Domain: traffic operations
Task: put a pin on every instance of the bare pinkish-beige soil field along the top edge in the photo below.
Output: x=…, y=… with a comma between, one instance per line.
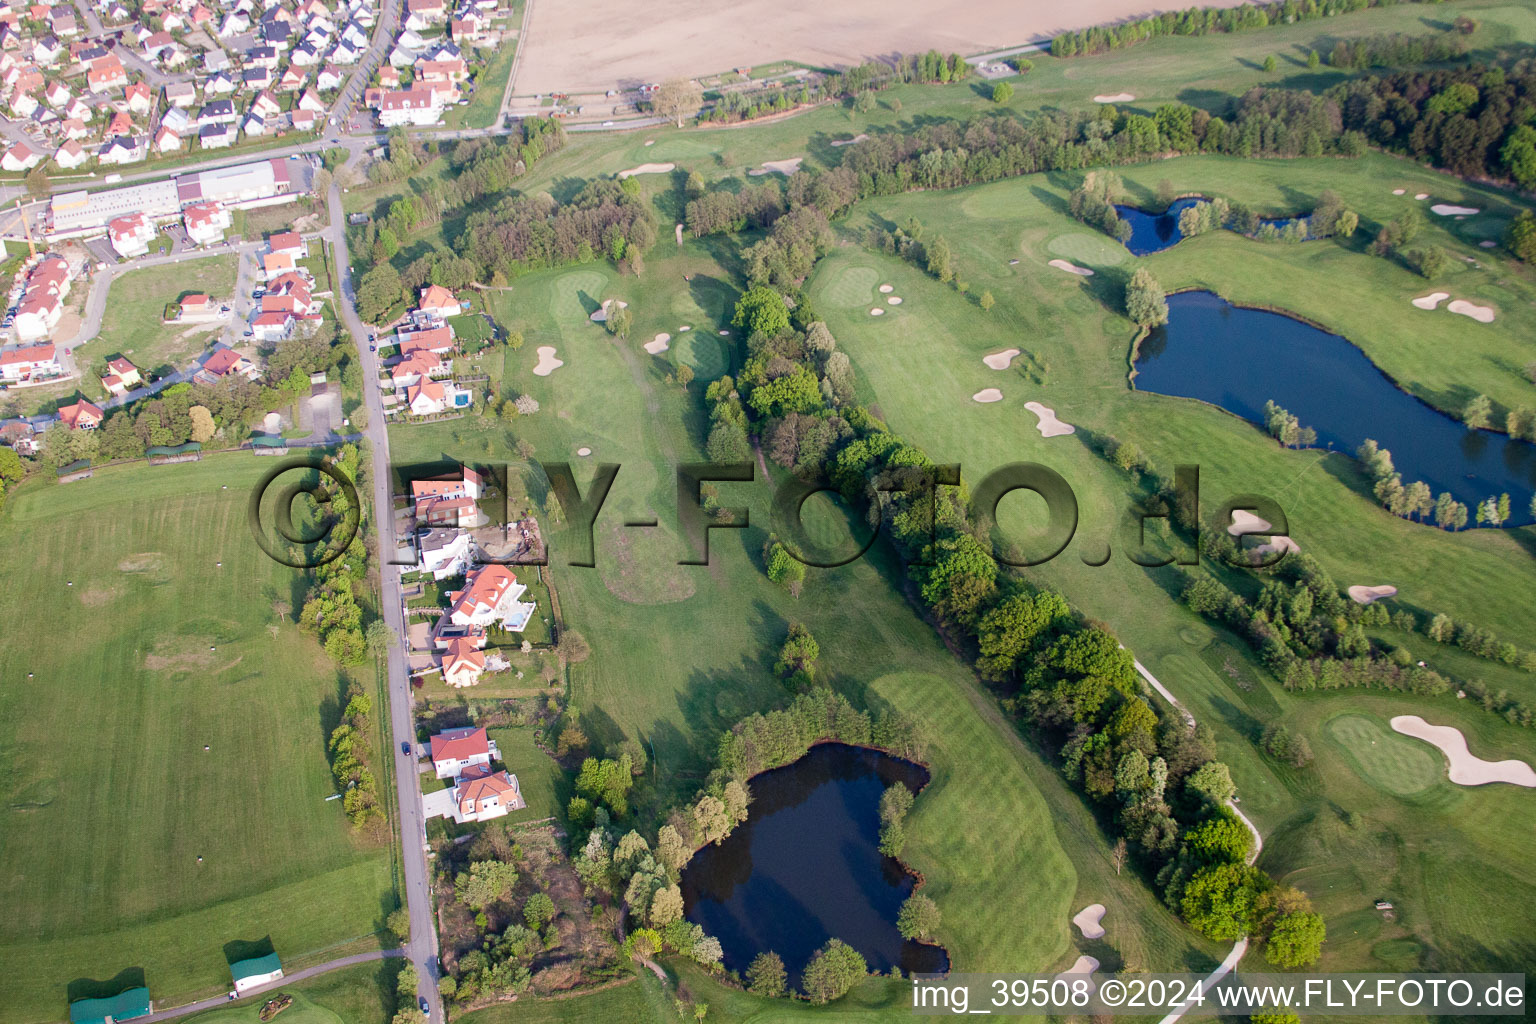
x=594, y=45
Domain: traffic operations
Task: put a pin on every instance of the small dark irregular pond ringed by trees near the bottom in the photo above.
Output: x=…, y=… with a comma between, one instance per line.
x=807, y=867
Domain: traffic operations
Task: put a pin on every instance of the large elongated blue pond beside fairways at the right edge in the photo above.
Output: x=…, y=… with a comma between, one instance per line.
x=1240, y=358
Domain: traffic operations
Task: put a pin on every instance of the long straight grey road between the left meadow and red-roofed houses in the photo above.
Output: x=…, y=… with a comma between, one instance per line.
x=423, y=946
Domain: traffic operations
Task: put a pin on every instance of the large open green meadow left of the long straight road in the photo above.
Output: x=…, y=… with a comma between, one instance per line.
x=131, y=650
